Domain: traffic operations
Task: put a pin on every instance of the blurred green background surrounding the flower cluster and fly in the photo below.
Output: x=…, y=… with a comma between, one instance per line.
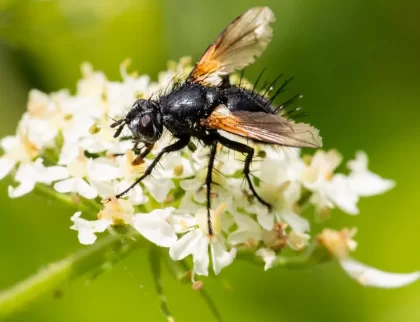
x=356, y=62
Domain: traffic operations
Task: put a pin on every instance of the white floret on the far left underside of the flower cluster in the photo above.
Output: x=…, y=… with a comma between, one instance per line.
x=31, y=173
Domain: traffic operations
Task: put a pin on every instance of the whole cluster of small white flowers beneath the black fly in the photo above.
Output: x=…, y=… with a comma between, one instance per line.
x=65, y=142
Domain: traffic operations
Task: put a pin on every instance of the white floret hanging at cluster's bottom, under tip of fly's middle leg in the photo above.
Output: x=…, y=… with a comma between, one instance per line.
x=197, y=241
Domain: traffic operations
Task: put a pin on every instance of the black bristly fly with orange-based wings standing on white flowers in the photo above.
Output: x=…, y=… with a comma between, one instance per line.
x=206, y=105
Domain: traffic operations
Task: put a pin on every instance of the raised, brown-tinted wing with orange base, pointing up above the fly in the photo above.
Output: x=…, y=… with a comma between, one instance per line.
x=236, y=47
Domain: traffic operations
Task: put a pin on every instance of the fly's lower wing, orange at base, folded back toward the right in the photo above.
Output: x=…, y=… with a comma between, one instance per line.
x=264, y=127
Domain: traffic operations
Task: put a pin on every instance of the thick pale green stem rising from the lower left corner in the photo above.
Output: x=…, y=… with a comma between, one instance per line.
x=53, y=276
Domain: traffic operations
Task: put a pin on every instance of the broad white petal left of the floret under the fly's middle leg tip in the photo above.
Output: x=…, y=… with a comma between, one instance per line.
x=155, y=228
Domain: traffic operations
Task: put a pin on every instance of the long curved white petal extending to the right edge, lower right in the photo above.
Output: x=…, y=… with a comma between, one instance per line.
x=369, y=276
